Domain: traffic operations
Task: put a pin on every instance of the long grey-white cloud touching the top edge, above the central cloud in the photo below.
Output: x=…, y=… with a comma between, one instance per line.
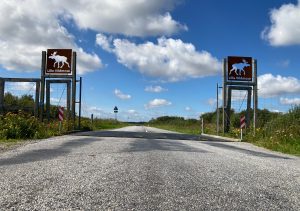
x=130, y=17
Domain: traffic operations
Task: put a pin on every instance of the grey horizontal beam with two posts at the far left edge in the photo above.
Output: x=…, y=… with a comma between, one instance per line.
x=37, y=91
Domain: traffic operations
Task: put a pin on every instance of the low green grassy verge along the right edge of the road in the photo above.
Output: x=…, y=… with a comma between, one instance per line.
x=281, y=133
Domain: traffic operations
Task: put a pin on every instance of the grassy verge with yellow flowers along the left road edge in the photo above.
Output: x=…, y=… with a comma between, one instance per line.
x=20, y=128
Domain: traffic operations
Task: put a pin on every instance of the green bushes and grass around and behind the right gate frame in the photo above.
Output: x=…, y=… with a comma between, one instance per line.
x=275, y=131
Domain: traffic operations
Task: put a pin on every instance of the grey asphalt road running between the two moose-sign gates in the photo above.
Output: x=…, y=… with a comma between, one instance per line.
x=138, y=168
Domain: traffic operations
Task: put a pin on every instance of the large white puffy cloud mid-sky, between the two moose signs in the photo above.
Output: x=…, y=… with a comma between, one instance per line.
x=169, y=60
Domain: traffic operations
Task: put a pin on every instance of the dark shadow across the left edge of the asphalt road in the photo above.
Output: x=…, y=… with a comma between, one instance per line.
x=45, y=154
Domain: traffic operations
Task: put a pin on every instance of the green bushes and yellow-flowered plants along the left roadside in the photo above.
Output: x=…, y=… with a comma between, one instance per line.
x=16, y=125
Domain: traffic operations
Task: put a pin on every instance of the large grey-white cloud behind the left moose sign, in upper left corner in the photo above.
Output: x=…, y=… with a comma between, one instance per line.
x=28, y=27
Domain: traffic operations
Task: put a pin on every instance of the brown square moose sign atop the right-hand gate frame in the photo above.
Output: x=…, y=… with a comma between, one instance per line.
x=239, y=68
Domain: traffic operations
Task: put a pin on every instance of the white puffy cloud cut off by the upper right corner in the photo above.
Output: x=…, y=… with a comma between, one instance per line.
x=285, y=24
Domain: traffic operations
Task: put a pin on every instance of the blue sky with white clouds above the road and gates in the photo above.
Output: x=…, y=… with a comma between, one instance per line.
x=153, y=58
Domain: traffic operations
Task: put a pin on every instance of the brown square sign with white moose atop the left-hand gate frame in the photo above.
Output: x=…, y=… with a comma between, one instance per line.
x=59, y=61
